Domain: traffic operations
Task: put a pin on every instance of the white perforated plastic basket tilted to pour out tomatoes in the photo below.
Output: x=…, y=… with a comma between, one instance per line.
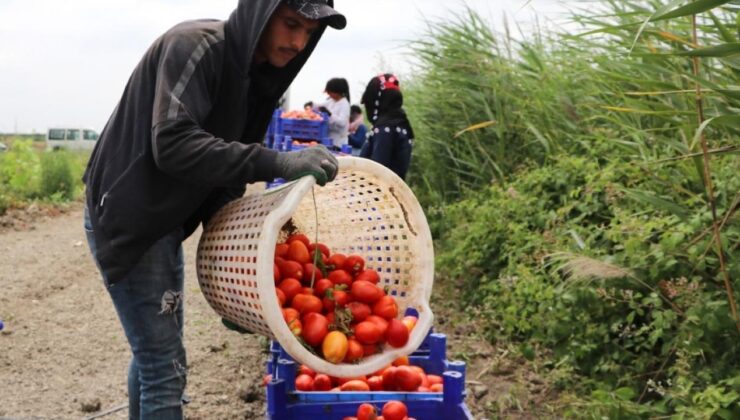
x=367, y=210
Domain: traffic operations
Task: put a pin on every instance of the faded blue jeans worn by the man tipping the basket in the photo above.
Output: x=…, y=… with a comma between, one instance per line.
x=153, y=327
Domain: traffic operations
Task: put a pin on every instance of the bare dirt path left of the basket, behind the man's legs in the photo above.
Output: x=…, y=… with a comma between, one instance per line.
x=63, y=353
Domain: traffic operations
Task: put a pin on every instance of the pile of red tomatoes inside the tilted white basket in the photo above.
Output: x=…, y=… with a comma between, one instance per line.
x=333, y=305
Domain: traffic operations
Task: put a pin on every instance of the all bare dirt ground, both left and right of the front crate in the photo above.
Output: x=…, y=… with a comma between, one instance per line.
x=63, y=354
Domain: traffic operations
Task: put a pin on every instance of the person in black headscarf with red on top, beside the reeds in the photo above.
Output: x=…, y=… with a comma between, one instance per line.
x=391, y=139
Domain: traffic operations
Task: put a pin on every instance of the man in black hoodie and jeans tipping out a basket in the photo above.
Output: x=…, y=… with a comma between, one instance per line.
x=183, y=141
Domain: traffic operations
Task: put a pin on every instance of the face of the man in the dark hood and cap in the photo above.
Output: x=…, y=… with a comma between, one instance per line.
x=286, y=35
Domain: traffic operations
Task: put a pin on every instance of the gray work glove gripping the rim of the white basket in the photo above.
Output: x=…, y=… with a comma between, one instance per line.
x=315, y=160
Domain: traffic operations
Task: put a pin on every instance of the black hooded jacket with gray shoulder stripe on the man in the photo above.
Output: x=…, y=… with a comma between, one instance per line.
x=186, y=136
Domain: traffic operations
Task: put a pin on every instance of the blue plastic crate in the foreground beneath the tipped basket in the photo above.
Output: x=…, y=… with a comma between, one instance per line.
x=285, y=403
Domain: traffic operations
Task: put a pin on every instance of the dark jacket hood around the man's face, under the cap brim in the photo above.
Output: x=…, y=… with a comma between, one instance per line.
x=244, y=28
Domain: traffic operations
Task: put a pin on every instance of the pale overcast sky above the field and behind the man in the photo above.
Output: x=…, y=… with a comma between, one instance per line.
x=67, y=62
